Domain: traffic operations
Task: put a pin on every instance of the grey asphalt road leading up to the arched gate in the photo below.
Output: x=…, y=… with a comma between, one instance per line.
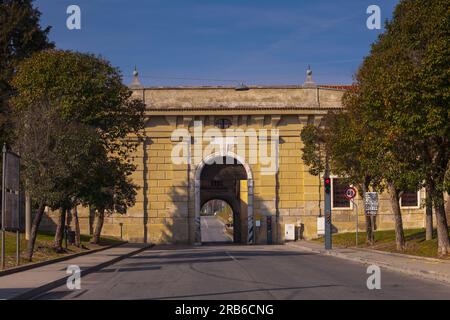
x=241, y=273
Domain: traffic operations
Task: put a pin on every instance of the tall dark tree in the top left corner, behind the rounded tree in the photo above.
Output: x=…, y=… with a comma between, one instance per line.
x=20, y=36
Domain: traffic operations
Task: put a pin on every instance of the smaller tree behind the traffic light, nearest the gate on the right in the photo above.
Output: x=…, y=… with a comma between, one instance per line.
x=360, y=148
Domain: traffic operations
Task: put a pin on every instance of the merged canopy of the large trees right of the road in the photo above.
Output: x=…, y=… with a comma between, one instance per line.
x=395, y=130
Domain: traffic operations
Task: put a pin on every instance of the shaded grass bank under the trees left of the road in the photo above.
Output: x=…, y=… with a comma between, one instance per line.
x=44, y=247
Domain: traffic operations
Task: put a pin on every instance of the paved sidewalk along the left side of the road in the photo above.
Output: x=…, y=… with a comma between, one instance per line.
x=27, y=284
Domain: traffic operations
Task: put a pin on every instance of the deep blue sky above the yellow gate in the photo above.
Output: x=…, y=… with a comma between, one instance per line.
x=259, y=42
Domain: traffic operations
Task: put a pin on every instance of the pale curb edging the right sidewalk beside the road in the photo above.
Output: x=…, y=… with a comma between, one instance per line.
x=424, y=274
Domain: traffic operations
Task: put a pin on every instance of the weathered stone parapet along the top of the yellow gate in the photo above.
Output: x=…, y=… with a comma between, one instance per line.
x=256, y=98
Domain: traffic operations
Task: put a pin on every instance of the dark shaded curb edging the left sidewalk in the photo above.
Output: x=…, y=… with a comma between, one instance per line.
x=33, y=293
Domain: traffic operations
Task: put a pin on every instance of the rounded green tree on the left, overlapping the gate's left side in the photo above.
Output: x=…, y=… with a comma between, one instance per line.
x=77, y=126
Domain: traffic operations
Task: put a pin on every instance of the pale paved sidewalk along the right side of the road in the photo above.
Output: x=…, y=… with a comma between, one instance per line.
x=426, y=268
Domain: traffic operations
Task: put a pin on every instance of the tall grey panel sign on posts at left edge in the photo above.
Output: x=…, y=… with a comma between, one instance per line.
x=10, y=200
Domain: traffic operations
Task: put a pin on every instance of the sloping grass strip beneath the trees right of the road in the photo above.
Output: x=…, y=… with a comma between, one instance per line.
x=385, y=241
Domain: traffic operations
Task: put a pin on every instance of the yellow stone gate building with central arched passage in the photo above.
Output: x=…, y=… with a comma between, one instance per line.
x=240, y=145
